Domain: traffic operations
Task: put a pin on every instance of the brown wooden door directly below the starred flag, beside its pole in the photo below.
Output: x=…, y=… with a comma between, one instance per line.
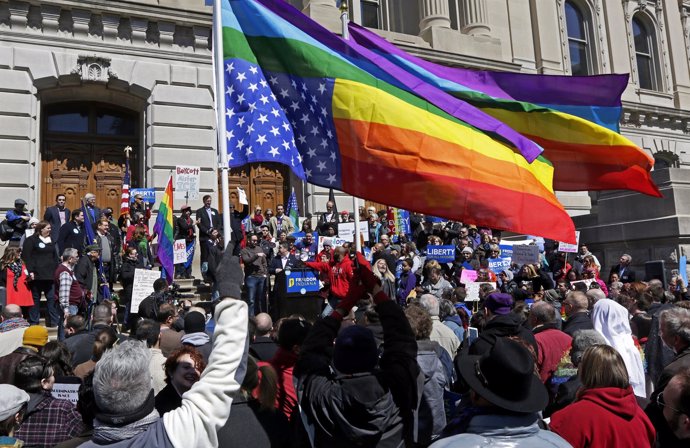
x=264, y=183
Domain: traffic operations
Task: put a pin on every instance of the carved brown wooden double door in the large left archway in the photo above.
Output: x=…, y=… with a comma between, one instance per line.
x=75, y=169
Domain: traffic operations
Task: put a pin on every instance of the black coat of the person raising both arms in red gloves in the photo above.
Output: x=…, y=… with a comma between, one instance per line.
x=360, y=410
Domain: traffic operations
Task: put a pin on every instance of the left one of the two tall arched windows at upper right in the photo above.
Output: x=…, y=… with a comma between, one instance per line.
x=580, y=41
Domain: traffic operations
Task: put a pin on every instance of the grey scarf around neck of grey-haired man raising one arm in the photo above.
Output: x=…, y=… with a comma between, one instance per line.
x=109, y=428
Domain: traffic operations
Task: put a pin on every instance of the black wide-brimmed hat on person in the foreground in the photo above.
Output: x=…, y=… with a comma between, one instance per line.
x=505, y=377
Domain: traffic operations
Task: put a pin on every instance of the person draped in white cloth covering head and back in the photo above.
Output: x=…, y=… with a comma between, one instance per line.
x=611, y=321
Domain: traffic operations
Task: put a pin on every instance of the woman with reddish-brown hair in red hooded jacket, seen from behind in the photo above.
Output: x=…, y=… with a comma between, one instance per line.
x=605, y=413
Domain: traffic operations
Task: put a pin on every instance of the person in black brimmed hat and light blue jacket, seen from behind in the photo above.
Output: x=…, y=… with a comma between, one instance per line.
x=506, y=396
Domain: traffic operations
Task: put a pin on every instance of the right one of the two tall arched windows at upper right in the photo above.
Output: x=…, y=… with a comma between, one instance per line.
x=648, y=75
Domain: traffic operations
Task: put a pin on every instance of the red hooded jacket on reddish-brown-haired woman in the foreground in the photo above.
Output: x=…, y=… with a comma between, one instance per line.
x=606, y=417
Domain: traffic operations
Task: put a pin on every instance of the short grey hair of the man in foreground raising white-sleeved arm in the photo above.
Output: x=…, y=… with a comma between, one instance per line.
x=121, y=380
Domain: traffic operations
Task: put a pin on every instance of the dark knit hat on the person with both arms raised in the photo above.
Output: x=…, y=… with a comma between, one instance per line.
x=355, y=350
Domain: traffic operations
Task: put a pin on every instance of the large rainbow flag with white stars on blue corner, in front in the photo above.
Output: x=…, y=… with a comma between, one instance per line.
x=366, y=135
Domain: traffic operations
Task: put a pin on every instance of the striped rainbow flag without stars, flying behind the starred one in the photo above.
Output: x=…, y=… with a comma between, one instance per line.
x=575, y=120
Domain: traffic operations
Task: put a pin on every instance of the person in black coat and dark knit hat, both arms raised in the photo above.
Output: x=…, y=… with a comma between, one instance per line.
x=333, y=404
